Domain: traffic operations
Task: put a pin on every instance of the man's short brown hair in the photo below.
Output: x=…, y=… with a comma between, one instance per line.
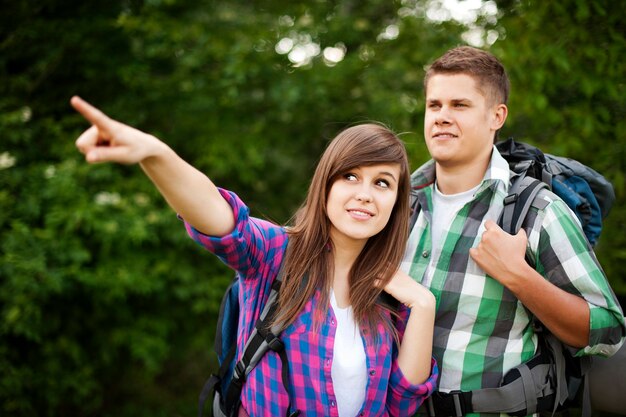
x=485, y=68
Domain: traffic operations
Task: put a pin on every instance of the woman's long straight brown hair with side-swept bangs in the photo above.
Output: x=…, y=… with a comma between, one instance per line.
x=310, y=247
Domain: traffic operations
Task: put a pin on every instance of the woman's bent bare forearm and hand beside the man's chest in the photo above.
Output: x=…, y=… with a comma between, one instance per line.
x=415, y=352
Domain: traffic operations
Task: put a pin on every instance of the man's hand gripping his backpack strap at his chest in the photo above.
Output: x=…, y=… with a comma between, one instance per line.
x=500, y=254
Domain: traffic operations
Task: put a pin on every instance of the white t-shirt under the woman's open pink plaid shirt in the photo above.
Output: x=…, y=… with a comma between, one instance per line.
x=349, y=369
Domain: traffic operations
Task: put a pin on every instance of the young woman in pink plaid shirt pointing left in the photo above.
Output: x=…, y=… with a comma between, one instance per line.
x=348, y=354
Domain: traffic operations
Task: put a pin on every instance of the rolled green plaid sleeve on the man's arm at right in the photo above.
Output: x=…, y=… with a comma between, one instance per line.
x=563, y=255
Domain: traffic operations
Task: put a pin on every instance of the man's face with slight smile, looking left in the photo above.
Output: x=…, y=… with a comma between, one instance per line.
x=460, y=122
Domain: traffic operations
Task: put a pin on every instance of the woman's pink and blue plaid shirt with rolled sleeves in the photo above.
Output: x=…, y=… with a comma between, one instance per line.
x=255, y=250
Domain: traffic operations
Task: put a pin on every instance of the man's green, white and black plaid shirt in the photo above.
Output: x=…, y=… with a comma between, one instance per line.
x=481, y=329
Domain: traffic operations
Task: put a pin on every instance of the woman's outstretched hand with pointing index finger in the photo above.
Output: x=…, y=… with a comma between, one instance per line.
x=108, y=140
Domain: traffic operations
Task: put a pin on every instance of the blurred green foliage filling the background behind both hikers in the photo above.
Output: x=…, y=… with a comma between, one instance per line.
x=106, y=307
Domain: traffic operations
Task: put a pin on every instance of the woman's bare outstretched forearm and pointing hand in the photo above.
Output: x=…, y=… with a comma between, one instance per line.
x=188, y=191
